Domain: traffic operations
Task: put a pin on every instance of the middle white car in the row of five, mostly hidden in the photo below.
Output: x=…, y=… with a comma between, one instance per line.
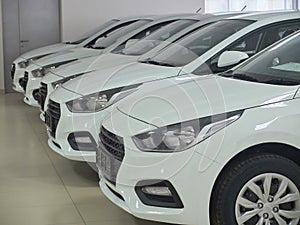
x=144, y=48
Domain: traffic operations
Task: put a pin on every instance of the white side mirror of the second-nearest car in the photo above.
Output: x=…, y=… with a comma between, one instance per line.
x=231, y=58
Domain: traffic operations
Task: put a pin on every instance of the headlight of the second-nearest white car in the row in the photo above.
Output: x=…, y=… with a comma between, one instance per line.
x=100, y=100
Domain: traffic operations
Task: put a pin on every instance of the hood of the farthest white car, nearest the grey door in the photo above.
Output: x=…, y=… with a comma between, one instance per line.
x=46, y=50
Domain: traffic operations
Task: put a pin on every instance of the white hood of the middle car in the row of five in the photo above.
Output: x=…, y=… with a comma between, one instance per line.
x=89, y=64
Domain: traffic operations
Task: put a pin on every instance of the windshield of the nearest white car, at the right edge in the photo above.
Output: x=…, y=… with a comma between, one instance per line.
x=278, y=65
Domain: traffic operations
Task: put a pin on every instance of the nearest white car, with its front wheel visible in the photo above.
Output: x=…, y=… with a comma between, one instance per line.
x=220, y=150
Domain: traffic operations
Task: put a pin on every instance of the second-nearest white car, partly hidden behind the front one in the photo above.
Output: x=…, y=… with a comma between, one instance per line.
x=76, y=109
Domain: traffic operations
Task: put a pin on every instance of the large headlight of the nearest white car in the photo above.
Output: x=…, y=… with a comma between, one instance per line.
x=181, y=136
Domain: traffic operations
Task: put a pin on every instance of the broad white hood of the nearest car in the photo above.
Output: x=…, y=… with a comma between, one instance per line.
x=185, y=98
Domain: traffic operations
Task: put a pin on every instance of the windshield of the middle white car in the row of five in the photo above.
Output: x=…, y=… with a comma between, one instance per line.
x=157, y=37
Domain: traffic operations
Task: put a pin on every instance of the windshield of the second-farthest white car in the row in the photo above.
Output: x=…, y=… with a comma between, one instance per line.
x=113, y=37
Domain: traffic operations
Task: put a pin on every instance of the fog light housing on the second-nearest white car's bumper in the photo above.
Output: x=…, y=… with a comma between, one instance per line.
x=82, y=141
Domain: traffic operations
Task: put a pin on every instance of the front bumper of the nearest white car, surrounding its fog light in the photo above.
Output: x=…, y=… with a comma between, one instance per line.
x=191, y=174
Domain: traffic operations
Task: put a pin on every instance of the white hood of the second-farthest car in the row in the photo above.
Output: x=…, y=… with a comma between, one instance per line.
x=72, y=54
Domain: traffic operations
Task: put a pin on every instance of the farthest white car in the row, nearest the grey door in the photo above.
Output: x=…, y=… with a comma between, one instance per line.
x=21, y=63
